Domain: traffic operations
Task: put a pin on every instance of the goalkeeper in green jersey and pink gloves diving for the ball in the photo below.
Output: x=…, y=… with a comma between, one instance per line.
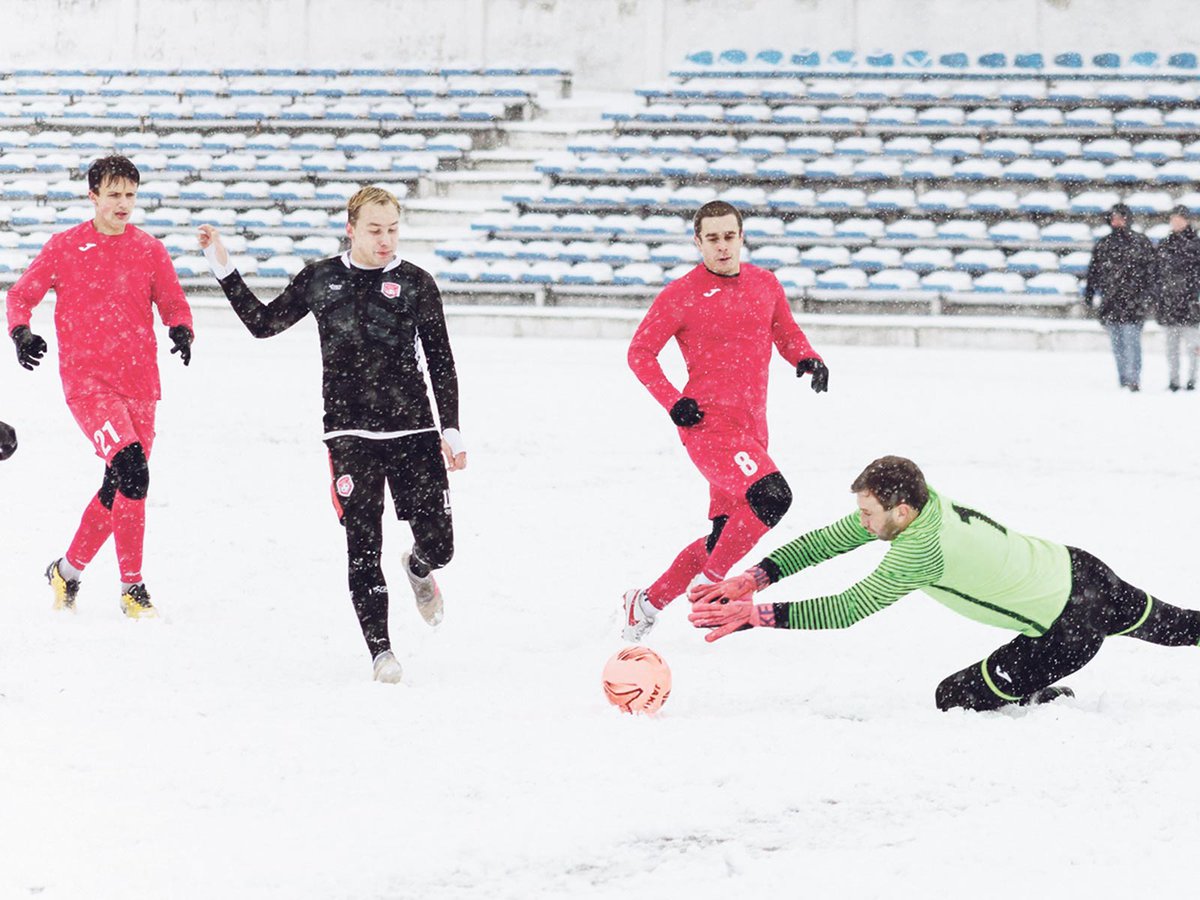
x=1063, y=601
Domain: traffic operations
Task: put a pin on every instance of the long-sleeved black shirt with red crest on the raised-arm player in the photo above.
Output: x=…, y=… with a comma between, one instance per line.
x=370, y=323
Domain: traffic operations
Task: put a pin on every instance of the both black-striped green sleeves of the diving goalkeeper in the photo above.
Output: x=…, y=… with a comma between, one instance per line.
x=913, y=562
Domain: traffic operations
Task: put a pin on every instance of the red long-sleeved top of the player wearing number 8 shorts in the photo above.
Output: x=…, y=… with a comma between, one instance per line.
x=725, y=327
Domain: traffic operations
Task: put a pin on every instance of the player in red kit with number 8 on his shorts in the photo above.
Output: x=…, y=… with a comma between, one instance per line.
x=725, y=315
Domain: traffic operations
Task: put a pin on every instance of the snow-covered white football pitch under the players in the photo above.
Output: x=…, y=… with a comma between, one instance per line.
x=239, y=749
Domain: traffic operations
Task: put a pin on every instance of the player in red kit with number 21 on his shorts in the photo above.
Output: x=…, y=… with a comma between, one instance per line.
x=107, y=277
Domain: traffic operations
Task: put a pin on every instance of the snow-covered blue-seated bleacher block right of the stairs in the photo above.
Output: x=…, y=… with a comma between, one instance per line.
x=878, y=176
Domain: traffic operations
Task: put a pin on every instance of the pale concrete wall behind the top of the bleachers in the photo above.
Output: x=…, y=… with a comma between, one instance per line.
x=609, y=44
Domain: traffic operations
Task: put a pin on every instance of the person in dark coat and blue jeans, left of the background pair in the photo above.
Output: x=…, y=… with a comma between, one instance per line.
x=1124, y=273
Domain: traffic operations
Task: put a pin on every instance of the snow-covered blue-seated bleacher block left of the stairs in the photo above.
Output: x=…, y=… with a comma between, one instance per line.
x=271, y=155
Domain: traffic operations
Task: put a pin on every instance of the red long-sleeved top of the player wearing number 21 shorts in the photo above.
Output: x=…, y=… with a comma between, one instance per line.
x=105, y=286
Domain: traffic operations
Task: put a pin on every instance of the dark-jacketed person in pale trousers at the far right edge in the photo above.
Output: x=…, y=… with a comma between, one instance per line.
x=1179, y=296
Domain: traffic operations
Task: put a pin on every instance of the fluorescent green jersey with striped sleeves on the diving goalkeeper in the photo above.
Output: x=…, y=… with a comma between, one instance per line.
x=959, y=557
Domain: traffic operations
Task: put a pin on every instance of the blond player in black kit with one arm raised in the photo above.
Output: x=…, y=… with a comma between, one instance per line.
x=373, y=309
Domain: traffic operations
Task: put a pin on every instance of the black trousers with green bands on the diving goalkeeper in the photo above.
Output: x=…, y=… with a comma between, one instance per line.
x=1101, y=605
